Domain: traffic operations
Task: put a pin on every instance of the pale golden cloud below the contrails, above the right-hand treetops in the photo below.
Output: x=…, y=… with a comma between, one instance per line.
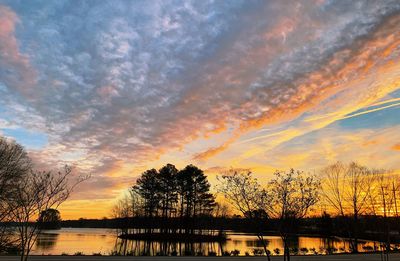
x=366, y=146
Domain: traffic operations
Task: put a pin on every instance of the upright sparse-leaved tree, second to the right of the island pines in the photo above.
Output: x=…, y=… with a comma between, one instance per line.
x=292, y=195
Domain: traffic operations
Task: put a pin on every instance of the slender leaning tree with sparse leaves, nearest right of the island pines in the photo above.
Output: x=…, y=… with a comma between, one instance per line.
x=246, y=195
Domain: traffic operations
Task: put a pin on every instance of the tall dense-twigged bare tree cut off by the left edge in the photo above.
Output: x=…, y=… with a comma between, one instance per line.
x=14, y=165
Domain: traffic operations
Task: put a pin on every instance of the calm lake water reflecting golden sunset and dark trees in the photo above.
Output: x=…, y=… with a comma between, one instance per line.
x=98, y=240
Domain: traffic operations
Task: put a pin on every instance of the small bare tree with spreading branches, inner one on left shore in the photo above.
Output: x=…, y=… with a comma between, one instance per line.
x=37, y=192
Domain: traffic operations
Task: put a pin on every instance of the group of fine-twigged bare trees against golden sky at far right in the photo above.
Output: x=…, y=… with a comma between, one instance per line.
x=352, y=191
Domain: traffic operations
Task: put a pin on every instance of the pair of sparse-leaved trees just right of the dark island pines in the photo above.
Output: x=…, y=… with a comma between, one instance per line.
x=287, y=198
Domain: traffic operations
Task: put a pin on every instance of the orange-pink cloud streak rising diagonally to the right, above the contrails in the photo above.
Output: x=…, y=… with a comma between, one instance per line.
x=321, y=85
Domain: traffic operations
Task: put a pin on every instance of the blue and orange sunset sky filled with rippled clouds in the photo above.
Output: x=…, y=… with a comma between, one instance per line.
x=117, y=87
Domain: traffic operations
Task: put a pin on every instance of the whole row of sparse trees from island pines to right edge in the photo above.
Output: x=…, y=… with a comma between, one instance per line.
x=349, y=192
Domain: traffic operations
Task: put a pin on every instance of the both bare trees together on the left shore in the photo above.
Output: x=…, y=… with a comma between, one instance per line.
x=26, y=195
